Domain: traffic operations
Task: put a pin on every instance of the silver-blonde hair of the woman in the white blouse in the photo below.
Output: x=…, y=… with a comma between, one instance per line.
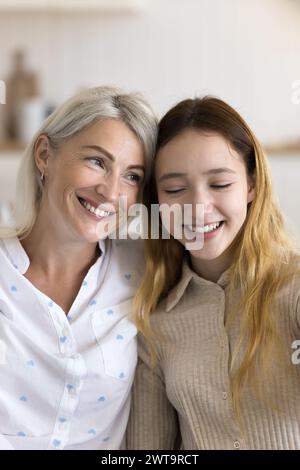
x=76, y=114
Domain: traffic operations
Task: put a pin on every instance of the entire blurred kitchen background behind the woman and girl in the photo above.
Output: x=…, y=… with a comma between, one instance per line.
x=246, y=52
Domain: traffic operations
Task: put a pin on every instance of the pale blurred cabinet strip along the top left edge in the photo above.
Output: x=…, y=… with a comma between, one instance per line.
x=70, y=5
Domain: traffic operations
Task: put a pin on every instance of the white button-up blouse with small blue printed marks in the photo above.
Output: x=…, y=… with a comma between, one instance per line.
x=65, y=380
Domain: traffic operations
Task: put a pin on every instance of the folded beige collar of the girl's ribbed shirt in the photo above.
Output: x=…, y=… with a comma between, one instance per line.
x=187, y=276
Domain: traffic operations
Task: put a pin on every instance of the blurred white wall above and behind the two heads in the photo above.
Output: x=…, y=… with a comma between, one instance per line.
x=245, y=51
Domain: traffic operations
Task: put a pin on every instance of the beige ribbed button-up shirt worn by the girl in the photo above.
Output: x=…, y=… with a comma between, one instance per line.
x=186, y=400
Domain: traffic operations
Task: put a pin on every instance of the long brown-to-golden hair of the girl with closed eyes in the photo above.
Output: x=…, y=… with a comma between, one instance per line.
x=261, y=264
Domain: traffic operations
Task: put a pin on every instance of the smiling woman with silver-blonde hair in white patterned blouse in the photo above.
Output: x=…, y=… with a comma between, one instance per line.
x=68, y=347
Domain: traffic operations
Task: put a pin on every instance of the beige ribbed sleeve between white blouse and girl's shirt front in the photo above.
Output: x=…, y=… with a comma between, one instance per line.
x=153, y=420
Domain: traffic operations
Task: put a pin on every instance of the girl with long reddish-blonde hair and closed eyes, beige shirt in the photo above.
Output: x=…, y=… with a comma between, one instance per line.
x=220, y=318
